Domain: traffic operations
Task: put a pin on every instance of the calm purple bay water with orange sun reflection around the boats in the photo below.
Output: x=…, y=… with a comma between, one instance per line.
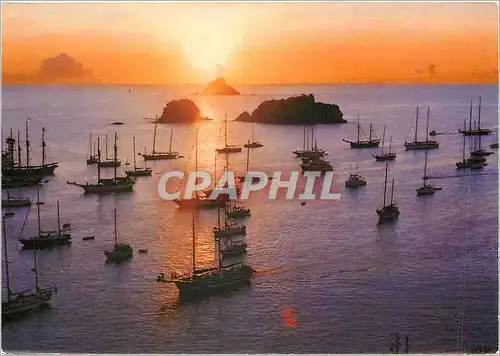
x=350, y=282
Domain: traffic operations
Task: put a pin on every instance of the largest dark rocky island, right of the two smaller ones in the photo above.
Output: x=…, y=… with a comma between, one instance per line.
x=299, y=110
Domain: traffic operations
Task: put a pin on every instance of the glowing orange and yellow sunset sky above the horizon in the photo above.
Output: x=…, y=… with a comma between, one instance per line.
x=257, y=42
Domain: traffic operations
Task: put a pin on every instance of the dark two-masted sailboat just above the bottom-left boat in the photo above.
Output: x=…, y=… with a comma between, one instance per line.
x=46, y=239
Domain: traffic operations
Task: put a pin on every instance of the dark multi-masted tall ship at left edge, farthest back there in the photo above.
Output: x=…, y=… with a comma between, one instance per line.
x=10, y=168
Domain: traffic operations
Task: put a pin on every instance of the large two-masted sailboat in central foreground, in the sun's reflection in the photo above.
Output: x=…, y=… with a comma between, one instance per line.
x=203, y=282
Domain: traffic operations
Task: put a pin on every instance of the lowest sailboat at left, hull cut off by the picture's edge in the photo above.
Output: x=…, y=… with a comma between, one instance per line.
x=23, y=303
